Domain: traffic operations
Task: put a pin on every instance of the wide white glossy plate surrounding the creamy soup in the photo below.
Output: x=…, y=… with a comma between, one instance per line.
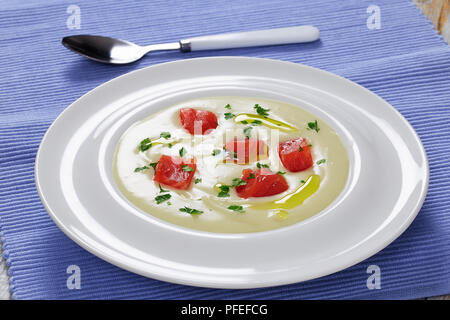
x=386, y=187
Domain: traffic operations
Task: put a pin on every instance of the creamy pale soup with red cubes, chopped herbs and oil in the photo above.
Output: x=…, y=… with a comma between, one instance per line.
x=214, y=190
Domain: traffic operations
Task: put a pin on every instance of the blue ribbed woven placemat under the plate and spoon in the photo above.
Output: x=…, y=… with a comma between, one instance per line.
x=404, y=61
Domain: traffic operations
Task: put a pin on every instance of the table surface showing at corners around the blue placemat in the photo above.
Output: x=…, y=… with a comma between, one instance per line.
x=438, y=11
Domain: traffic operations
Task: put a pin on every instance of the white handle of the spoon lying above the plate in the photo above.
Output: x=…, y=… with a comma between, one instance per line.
x=252, y=38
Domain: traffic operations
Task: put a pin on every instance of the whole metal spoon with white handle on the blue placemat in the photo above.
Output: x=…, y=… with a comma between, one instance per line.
x=116, y=51
